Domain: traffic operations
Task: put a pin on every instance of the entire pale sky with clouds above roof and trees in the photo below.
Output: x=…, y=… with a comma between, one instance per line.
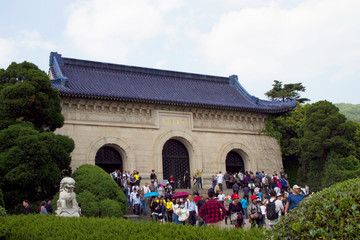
x=315, y=42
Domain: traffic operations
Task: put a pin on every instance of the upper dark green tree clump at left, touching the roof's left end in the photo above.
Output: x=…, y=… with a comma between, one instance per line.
x=25, y=92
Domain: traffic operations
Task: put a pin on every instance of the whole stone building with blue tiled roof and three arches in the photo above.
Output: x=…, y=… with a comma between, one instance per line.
x=125, y=117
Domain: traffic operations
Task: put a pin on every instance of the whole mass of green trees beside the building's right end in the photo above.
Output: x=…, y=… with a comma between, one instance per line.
x=319, y=146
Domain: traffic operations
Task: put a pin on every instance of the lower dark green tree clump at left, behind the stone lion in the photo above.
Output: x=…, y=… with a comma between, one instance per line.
x=31, y=163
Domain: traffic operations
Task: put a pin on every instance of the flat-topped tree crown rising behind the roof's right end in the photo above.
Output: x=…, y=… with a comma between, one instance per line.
x=286, y=92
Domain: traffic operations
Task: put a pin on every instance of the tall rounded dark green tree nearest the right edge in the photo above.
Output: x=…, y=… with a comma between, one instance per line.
x=325, y=131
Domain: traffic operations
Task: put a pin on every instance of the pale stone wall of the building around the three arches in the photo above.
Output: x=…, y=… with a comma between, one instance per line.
x=139, y=132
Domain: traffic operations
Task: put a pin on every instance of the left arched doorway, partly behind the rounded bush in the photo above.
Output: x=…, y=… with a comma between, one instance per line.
x=109, y=159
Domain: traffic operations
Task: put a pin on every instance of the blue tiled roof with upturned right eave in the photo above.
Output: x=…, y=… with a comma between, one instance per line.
x=88, y=79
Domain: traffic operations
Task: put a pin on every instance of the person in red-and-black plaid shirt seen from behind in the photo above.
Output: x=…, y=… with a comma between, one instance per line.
x=212, y=212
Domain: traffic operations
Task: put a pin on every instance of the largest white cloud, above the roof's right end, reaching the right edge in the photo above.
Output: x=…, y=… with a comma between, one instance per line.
x=297, y=44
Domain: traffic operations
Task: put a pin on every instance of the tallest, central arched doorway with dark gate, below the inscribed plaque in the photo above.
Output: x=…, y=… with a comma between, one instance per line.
x=175, y=161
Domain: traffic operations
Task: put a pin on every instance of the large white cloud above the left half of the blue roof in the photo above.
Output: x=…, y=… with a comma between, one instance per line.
x=101, y=27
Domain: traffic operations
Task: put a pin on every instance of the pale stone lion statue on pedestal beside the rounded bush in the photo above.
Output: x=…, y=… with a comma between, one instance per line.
x=67, y=205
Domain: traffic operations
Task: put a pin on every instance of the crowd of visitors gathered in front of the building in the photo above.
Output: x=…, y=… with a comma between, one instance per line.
x=263, y=197
